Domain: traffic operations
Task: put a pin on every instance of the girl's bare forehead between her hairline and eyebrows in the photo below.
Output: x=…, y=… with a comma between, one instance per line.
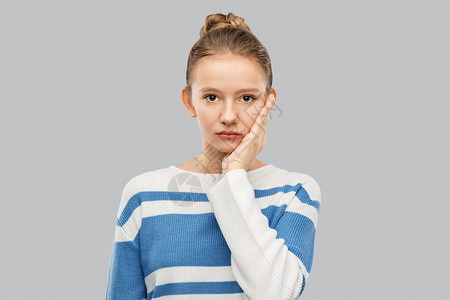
x=228, y=72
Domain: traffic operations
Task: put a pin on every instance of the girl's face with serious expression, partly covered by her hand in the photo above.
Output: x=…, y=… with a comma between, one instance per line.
x=228, y=92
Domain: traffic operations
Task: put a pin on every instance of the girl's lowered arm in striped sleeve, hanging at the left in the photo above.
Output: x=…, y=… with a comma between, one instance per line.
x=126, y=278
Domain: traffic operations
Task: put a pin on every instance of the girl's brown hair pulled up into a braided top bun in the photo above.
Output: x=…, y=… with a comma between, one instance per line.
x=224, y=34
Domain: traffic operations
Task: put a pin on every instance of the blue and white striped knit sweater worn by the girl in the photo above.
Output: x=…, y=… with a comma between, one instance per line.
x=239, y=235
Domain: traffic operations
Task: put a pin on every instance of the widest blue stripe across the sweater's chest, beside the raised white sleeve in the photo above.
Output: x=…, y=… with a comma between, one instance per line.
x=183, y=240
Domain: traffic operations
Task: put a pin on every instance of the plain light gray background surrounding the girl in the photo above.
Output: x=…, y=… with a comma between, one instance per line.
x=90, y=97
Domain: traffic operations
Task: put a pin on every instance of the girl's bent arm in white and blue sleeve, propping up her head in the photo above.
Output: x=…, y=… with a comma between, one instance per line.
x=267, y=263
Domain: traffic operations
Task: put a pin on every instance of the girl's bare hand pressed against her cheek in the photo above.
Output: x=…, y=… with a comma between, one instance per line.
x=252, y=143
